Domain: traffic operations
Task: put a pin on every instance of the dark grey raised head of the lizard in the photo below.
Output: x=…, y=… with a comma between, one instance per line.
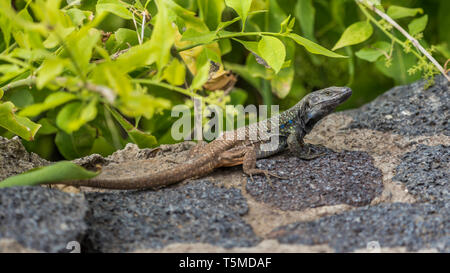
x=319, y=104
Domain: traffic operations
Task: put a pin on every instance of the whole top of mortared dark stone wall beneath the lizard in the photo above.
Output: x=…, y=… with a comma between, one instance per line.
x=383, y=179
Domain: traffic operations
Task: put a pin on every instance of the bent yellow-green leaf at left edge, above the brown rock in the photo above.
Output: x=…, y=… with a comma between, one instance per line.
x=20, y=126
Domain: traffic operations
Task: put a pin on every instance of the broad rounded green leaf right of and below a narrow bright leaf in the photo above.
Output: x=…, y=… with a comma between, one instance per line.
x=75, y=115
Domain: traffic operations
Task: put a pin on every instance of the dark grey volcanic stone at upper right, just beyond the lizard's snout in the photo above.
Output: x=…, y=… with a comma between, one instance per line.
x=408, y=110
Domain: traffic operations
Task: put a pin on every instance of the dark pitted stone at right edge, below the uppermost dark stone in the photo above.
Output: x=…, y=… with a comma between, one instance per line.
x=426, y=172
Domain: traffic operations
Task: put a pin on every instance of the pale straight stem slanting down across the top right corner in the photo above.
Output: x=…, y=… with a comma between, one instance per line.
x=406, y=34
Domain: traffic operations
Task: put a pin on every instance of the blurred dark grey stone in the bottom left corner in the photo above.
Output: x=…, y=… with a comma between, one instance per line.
x=41, y=218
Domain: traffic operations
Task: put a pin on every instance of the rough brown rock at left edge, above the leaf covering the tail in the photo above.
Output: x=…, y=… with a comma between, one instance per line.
x=14, y=159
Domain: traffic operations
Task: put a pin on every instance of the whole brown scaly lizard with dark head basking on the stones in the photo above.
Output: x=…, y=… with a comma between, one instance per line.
x=236, y=147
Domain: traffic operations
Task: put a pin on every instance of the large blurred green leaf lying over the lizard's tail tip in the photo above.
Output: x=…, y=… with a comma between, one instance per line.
x=52, y=174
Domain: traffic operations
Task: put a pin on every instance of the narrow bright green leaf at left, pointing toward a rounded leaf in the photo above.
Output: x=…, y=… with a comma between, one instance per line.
x=52, y=101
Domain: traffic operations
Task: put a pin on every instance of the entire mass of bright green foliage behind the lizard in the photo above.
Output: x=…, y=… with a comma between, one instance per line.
x=82, y=77
